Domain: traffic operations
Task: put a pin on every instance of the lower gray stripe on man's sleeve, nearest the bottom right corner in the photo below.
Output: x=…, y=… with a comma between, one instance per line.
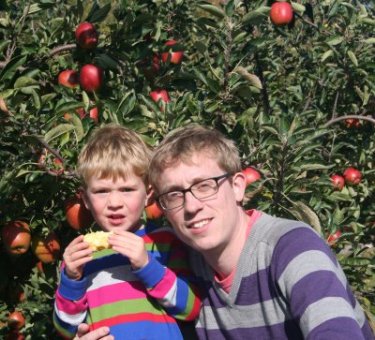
x=323, y=310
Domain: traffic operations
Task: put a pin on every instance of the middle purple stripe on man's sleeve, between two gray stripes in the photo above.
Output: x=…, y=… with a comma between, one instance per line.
x=313, y=287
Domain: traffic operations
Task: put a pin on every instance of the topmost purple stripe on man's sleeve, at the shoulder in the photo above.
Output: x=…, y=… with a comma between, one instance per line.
x=295, y=242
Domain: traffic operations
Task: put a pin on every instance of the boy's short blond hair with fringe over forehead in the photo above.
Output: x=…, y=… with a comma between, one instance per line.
x=114, y=151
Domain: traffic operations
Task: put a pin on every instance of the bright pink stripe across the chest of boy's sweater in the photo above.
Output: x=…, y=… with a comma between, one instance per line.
x=116, y=292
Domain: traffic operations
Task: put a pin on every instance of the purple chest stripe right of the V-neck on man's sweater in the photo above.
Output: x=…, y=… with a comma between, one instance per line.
x=262, y=282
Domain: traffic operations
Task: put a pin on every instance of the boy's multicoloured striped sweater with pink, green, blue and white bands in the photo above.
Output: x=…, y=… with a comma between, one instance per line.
x=140, y=304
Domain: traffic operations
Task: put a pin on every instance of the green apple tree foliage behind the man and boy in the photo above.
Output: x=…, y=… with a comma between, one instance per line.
x=282, y=93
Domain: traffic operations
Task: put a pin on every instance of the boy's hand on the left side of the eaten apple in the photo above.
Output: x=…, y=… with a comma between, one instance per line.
x=76, y=255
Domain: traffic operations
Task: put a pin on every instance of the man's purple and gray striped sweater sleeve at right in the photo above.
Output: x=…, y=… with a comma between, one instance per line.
x=315, y=288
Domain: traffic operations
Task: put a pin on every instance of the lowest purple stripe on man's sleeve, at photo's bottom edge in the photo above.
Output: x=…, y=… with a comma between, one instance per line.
x=346, y=327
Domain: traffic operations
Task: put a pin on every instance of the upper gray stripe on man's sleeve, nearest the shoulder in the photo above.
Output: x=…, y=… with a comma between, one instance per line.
x=304, y=264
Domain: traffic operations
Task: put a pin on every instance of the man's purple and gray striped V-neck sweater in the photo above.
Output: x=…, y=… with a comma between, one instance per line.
x=288, y=285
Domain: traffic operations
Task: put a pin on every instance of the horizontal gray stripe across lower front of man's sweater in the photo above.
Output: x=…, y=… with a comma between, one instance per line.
x=260, y=314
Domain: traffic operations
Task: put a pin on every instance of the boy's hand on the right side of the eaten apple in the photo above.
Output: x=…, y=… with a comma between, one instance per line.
x=131, y=246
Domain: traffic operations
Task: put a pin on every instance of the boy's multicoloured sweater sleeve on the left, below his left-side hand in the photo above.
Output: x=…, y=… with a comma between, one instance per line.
x=70, y=306
